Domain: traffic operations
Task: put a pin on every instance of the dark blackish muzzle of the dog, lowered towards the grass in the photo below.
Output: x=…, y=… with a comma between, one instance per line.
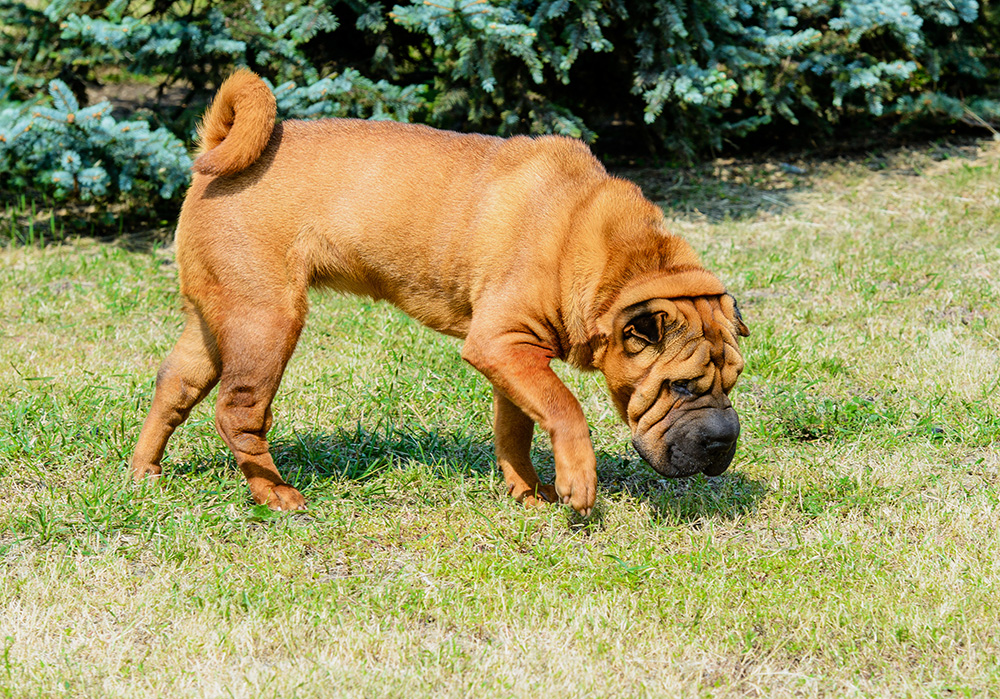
x=700, y=441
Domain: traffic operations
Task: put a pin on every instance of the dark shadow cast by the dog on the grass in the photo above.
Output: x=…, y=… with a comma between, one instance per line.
x=361, y=455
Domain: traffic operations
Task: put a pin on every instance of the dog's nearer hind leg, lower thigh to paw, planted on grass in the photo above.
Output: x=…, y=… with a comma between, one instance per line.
x=255, y=344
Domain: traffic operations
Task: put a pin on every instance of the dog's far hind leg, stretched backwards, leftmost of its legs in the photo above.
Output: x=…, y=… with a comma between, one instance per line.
x=186, y=376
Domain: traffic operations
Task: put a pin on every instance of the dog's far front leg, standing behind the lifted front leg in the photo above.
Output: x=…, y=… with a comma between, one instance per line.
x=512, y=433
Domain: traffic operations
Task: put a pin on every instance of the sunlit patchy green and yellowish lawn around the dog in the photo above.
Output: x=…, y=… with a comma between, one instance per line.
x=853, y=549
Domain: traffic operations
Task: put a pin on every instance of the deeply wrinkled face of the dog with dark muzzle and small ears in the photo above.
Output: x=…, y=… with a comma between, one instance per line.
x=670, y=365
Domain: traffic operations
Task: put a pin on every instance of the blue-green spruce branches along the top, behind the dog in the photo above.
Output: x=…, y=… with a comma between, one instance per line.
x=691, y=73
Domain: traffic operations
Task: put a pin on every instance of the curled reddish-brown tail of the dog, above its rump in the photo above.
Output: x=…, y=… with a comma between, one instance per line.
x=236, y=128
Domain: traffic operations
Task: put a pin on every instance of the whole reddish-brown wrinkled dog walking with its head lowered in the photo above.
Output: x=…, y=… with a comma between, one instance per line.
x=524, y=247
